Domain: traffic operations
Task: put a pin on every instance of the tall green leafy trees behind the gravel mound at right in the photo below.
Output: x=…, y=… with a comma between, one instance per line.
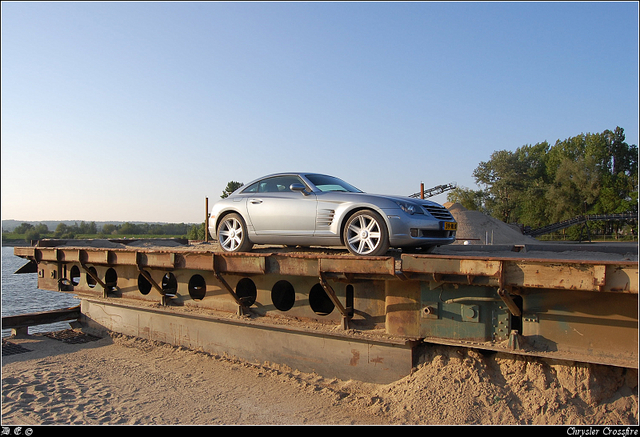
x=544, y=184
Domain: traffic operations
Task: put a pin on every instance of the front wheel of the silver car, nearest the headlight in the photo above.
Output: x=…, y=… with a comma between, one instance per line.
x=365, y=234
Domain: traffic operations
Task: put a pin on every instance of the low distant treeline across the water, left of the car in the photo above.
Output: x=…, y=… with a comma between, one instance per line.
x=28, y=231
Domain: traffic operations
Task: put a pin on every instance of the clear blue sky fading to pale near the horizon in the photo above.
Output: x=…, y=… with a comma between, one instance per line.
x=138, y=111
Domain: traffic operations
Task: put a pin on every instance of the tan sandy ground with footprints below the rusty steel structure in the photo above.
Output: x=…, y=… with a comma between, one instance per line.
x=121, y=380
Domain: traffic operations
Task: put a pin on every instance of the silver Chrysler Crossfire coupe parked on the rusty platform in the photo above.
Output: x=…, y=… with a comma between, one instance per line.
x=307, y=209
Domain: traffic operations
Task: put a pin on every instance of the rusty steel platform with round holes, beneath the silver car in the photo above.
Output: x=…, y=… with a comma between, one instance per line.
x=338, y=315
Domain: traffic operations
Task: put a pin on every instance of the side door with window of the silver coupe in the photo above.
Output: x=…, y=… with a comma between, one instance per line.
x=276, y=211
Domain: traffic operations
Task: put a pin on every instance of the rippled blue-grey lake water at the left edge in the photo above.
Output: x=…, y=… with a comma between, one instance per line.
x=20, y=294
